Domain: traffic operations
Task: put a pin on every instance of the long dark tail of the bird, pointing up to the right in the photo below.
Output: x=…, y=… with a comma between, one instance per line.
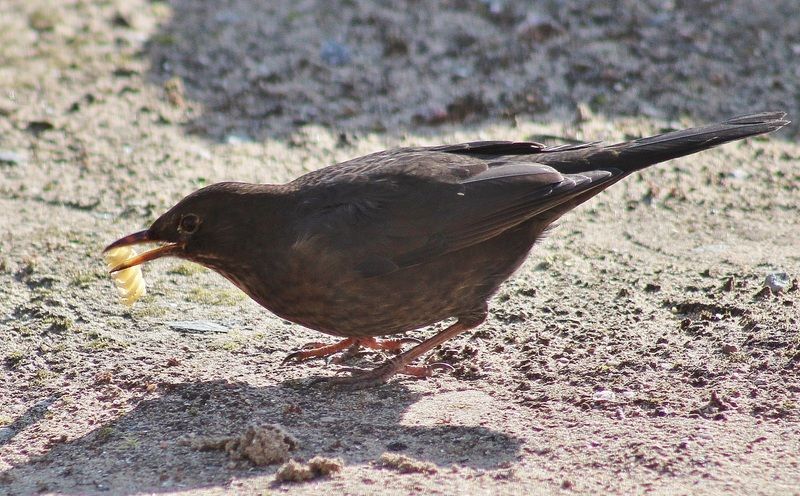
x=638, y=154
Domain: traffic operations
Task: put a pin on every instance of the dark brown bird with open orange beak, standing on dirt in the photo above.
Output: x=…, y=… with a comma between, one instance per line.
x=401, y=239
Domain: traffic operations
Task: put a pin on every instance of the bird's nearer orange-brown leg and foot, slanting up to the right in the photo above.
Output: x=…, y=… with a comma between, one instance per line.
x=401, y=364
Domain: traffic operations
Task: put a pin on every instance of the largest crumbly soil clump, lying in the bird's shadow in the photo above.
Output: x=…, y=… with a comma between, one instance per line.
x=261, y=445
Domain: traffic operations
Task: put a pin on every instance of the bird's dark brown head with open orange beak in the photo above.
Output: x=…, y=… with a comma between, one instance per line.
x=207, y=227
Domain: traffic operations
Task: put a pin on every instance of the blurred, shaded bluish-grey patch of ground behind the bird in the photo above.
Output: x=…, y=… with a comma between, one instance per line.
x=357, y=65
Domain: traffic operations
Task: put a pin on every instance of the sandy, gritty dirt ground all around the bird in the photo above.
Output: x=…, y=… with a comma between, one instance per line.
x=636, y=352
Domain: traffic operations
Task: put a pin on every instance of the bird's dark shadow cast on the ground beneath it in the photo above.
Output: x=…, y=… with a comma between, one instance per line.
x=144, y=445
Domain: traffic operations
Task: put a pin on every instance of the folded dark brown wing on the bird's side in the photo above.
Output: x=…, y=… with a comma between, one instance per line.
x=418, y=204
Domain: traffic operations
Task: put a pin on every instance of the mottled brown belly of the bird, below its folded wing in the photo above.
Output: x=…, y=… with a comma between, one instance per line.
x=405, y=299
